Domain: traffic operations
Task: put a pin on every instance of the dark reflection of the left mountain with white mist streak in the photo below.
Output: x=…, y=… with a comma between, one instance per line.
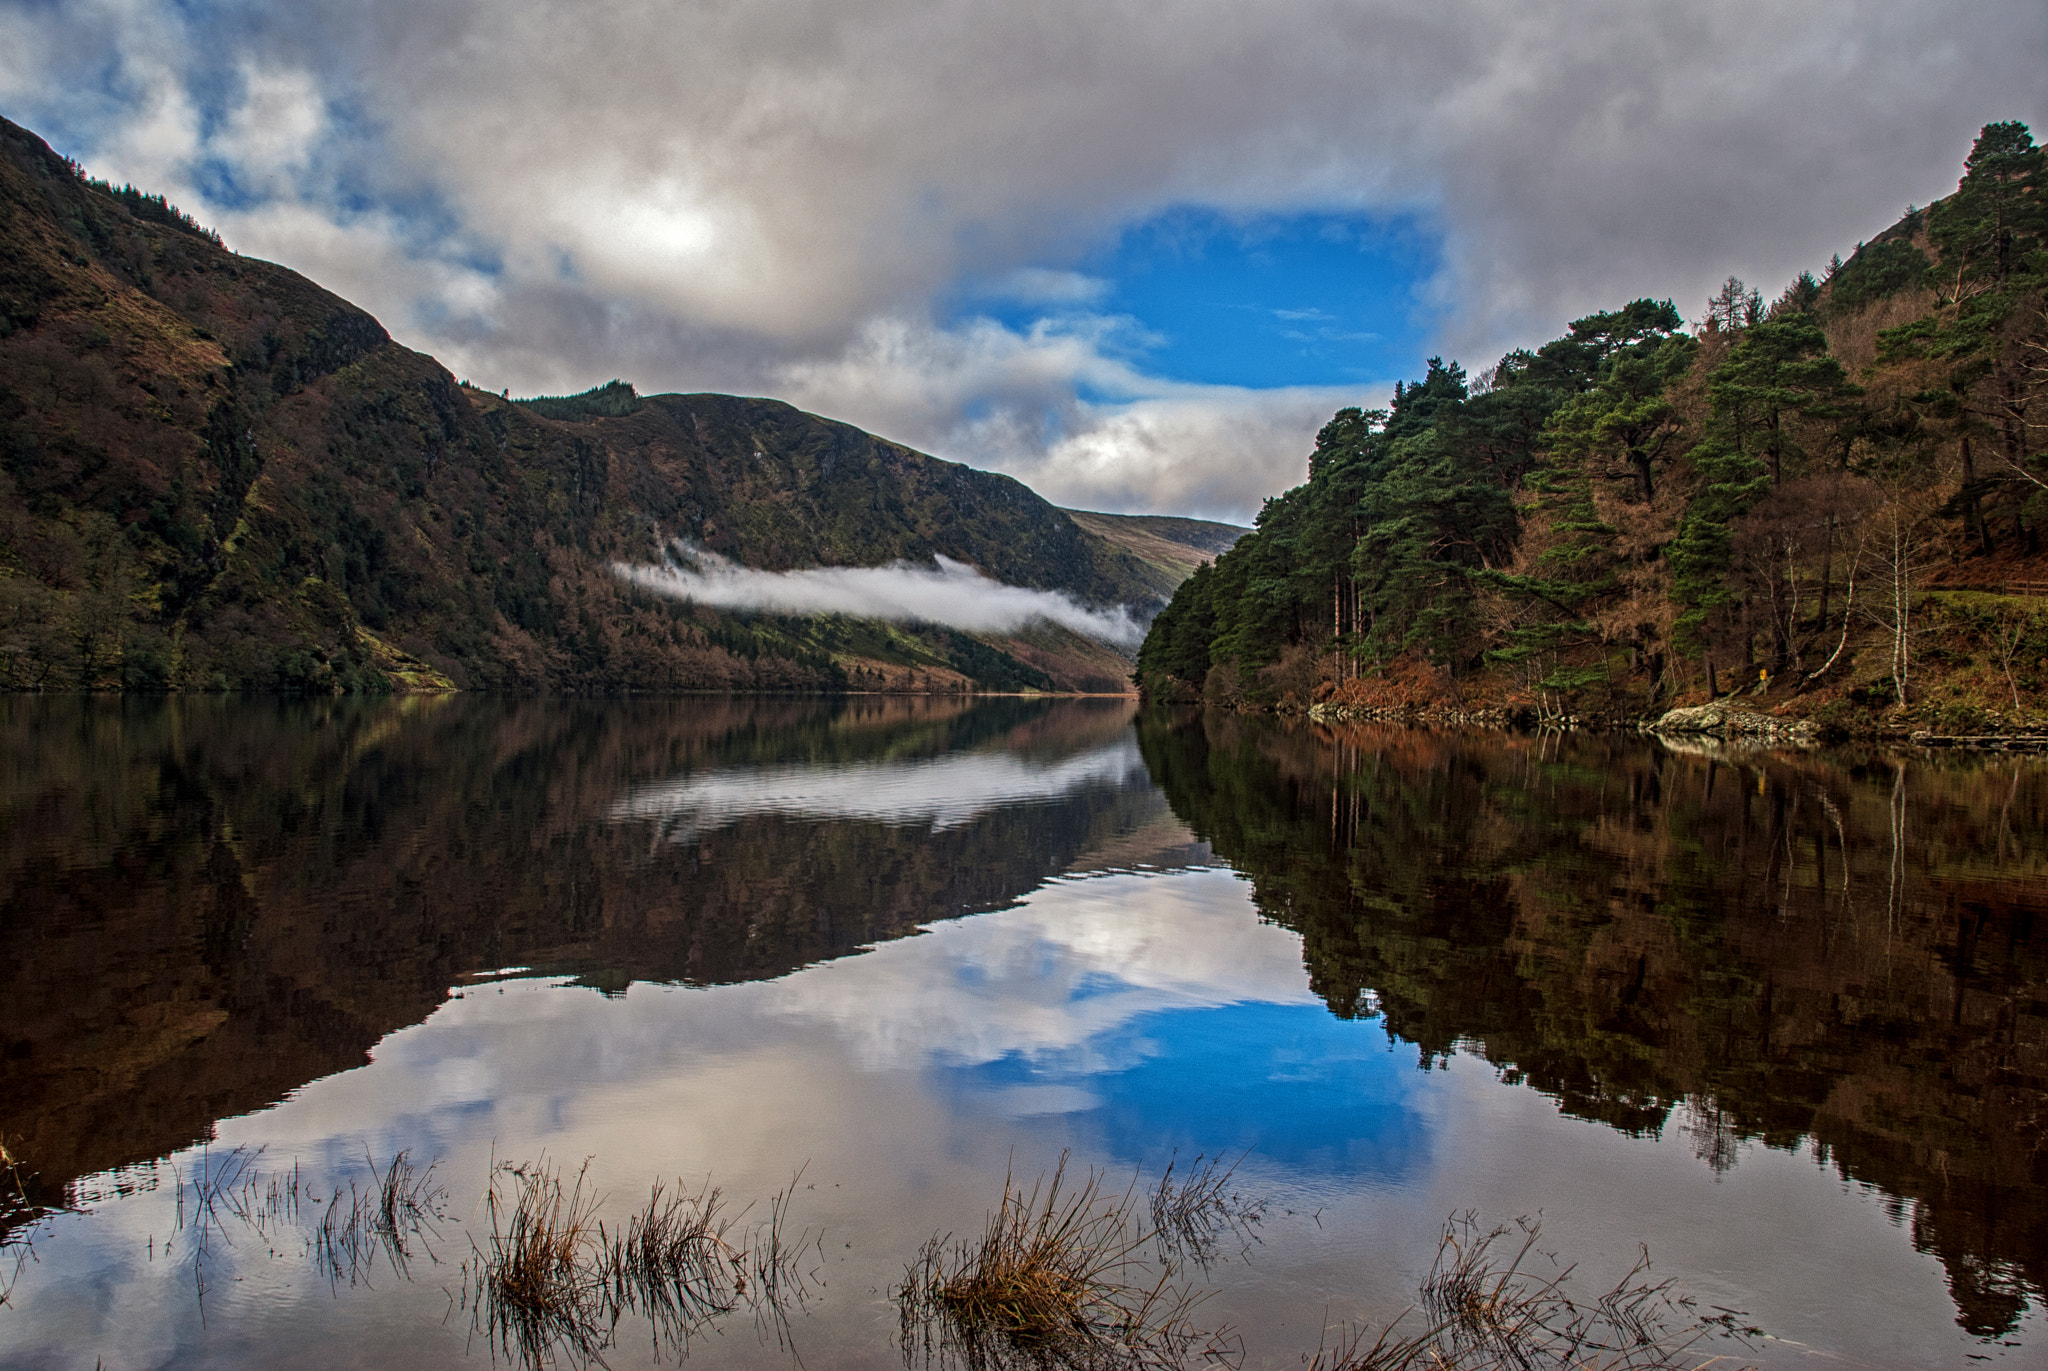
x=212, y=903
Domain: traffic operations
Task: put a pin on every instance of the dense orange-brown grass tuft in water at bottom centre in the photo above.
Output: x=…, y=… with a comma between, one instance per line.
x=1056, y=1280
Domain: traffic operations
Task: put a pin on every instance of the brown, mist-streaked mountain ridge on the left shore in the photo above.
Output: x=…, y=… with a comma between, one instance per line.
x=216, y=474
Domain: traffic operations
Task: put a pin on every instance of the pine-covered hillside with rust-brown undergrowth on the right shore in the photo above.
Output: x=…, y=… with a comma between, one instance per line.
x=1832, y=503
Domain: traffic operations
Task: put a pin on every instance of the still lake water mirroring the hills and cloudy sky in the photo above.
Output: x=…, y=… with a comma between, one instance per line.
x=1777, y=1017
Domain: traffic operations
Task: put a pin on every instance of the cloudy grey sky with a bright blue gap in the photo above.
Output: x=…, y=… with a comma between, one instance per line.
x=1129, y=251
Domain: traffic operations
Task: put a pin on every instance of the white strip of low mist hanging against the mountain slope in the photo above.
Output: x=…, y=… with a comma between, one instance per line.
x=951, y=593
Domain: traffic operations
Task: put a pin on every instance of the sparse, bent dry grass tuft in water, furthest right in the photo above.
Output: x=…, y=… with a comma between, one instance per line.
x=1490, y=1306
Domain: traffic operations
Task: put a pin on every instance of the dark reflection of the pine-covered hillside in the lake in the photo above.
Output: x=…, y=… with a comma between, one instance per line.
x=1744, y=950
